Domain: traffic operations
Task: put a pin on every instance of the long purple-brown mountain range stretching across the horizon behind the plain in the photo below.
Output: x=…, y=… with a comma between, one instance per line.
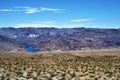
x=48, y=39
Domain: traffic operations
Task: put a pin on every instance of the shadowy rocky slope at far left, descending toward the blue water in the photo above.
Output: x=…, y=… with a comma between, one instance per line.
x=7, y=44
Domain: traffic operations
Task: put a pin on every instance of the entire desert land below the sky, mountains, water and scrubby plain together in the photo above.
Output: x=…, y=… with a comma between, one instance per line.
x=59, y=54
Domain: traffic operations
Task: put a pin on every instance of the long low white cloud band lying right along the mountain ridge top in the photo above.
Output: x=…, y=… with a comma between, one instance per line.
x=41, y=25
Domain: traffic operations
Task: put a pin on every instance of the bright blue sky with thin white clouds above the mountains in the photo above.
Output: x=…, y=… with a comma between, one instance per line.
x=60, y=13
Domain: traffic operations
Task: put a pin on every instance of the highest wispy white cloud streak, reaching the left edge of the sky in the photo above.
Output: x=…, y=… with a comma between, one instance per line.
x=30, y=10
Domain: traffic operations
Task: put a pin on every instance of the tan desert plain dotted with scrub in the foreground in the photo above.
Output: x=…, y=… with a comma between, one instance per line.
x=59, y=66
